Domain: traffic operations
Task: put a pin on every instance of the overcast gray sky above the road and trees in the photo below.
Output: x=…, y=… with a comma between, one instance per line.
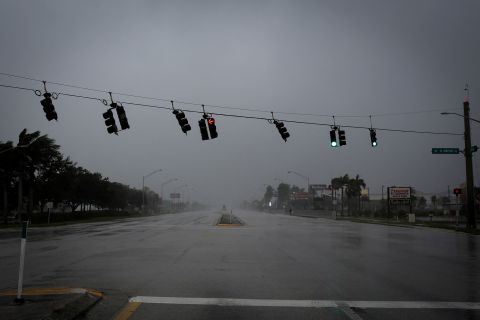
x=317, y=57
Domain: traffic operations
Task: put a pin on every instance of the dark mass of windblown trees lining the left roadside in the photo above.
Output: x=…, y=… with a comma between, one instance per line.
x=34, y=170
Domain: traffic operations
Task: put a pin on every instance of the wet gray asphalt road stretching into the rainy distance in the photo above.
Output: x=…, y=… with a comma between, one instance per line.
x=273, y=256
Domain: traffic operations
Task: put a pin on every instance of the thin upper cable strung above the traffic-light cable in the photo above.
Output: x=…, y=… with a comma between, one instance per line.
x=249, y=109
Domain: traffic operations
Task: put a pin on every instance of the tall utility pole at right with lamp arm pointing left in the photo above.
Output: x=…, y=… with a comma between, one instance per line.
x=467, y=152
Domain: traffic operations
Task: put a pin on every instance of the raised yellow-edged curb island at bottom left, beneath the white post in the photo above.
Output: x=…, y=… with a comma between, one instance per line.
x=48, y=303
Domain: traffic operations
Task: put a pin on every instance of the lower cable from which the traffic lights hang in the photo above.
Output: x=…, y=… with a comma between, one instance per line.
x=241, y=116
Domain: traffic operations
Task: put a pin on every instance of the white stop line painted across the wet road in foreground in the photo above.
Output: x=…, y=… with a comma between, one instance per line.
x=311, y=303
